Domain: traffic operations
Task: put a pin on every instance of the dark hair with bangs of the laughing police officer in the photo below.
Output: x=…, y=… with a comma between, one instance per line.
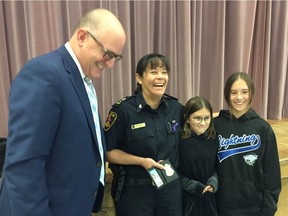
x=154, y=60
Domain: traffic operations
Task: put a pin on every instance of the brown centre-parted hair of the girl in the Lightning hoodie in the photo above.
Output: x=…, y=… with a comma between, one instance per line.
x=233, y=78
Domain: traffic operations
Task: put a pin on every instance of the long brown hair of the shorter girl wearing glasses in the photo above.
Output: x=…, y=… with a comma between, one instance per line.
x=193, y=105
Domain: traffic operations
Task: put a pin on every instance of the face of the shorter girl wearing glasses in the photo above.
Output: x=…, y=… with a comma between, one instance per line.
x=199, y=121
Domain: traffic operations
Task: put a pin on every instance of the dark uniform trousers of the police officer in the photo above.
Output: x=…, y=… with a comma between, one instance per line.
x=147, y=200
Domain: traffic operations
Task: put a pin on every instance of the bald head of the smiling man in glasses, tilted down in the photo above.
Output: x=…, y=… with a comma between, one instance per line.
x=97, y=41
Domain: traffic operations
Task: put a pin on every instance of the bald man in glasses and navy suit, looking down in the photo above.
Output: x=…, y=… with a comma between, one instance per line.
x=55, y=162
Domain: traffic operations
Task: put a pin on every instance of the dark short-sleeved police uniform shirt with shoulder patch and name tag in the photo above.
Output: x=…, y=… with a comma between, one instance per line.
x=134, y=127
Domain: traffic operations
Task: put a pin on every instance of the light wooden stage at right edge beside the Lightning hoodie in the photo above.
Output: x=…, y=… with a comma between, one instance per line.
x=281, y=130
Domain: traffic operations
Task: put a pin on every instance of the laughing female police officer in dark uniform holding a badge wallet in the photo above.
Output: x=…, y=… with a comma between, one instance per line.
x=141, y=131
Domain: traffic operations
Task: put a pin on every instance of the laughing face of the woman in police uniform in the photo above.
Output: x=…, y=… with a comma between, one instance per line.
x=154, y=82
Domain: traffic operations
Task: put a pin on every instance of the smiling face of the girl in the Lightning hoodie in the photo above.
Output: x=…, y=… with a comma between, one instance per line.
x=239, y=98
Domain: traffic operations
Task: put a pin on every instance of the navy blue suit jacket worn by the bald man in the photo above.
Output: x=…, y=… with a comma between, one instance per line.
x=52, y=164
